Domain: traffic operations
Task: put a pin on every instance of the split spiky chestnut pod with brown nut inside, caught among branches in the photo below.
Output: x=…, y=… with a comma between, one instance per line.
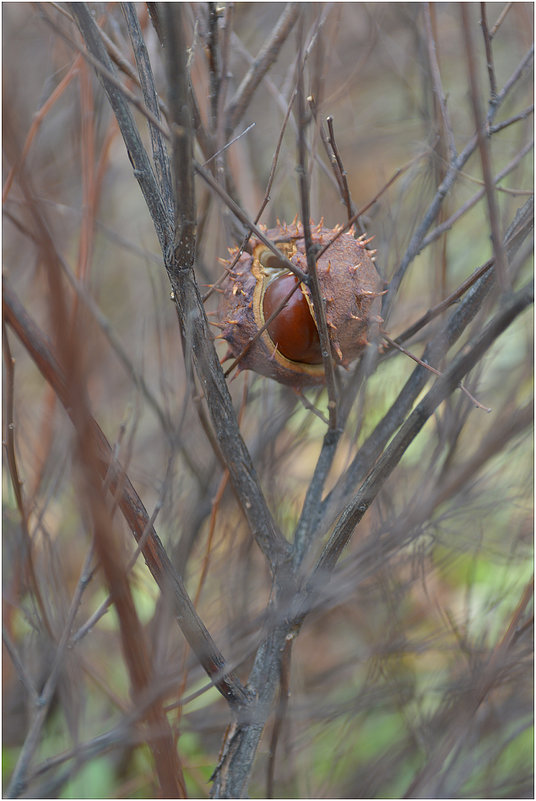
x=288, y=349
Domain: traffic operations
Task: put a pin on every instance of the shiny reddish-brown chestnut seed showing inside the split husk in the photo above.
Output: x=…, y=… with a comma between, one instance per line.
x=293, y=331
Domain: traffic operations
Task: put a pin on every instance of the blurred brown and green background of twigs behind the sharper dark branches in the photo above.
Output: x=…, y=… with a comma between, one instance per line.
x=437, y=570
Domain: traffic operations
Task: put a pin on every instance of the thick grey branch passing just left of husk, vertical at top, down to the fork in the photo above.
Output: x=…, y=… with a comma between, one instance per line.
x=194, y=326
